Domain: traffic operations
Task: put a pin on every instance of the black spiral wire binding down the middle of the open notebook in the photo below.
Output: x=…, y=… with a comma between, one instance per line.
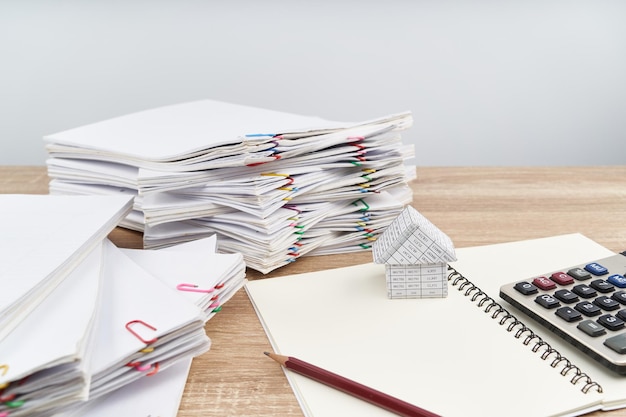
x=512, y=323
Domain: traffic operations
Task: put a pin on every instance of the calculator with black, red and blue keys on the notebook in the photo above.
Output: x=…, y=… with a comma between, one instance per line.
x=584, y=304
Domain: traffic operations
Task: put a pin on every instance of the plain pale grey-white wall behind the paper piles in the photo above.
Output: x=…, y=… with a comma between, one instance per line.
x=489, y=82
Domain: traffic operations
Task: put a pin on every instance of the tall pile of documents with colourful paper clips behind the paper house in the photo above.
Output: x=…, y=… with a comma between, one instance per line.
x=273, y=186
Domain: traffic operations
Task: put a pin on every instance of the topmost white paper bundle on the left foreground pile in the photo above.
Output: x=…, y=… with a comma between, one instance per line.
x=43, y=239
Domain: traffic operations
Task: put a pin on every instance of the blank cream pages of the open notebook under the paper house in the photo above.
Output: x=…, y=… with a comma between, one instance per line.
x=445, y=355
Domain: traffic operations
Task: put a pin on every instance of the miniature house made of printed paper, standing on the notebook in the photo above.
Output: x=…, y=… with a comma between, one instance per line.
x=416, y=255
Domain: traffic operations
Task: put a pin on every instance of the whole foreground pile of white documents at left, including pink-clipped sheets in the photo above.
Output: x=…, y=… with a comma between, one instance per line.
x=81, y=318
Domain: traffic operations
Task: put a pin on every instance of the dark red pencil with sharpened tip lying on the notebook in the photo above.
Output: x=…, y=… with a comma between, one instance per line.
x=351, y=387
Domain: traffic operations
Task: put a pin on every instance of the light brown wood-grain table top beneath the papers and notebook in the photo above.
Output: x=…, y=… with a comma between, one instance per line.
x=473, y=205
